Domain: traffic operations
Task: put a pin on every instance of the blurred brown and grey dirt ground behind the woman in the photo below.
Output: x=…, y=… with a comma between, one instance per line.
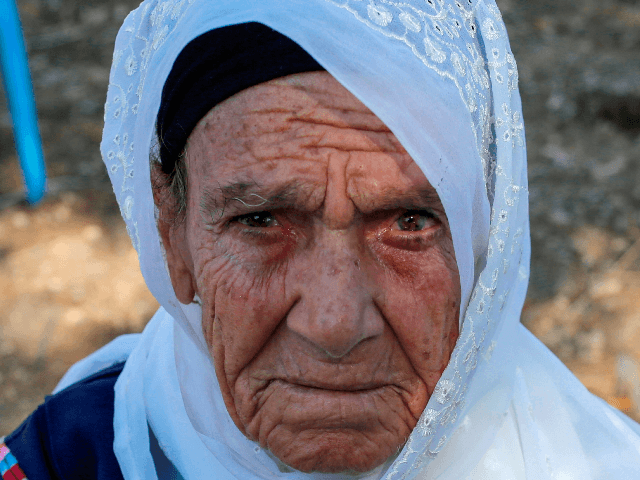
x=69, y=277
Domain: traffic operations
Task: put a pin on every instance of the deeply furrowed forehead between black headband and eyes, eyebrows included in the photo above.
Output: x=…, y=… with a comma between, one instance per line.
x=283, y=139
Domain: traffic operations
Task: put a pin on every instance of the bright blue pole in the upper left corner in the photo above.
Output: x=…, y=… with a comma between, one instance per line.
x=17, y=82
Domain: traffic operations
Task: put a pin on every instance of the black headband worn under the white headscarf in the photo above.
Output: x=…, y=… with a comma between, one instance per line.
x=215, y=66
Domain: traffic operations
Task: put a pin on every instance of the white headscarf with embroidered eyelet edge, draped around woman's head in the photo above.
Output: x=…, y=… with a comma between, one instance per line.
x=441, y=75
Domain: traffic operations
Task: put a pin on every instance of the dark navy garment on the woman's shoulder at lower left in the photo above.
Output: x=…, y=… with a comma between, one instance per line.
x=70, y=436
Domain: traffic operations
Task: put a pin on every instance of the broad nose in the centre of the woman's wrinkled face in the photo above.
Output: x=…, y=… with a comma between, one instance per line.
x=336, y=311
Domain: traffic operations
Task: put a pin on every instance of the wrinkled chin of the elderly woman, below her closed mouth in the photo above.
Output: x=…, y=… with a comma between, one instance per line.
x=319, y=430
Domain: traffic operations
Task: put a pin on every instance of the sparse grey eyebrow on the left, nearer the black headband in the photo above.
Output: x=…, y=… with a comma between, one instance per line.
x=247, y=194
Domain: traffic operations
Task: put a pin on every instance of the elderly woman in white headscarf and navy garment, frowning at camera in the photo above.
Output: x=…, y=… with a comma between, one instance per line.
x=334, y=219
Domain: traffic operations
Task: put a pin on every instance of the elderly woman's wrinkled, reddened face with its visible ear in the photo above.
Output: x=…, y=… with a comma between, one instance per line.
x=325, y=266
